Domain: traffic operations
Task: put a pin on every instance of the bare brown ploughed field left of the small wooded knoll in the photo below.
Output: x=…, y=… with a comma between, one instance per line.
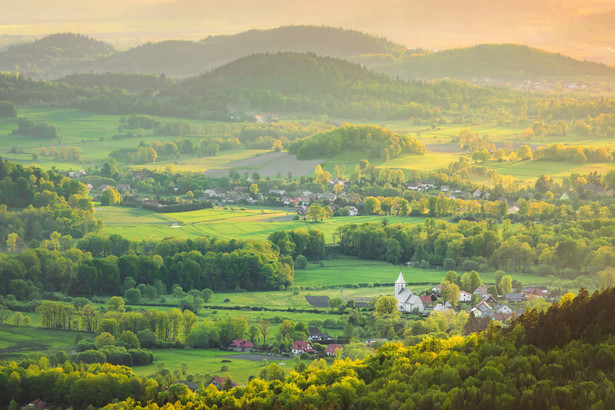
x=269, y=164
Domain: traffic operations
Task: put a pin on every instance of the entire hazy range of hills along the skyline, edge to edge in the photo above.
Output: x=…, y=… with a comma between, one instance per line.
x=62, y=54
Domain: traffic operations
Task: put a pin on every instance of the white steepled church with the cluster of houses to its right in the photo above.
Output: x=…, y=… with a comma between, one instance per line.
x=489, y=306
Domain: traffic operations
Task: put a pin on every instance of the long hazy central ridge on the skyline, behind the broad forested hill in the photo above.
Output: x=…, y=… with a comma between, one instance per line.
x=185, y=58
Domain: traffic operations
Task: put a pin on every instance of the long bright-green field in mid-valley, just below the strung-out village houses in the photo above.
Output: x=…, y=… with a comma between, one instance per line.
x=233, y=222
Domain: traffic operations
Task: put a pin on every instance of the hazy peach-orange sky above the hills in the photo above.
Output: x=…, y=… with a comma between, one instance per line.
x=579, y=28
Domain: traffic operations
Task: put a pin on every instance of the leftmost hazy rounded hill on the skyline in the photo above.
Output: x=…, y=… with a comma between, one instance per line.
x=57, y=51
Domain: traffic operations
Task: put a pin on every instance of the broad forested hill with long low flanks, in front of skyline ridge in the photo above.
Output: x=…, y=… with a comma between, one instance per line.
x=266, y=83
